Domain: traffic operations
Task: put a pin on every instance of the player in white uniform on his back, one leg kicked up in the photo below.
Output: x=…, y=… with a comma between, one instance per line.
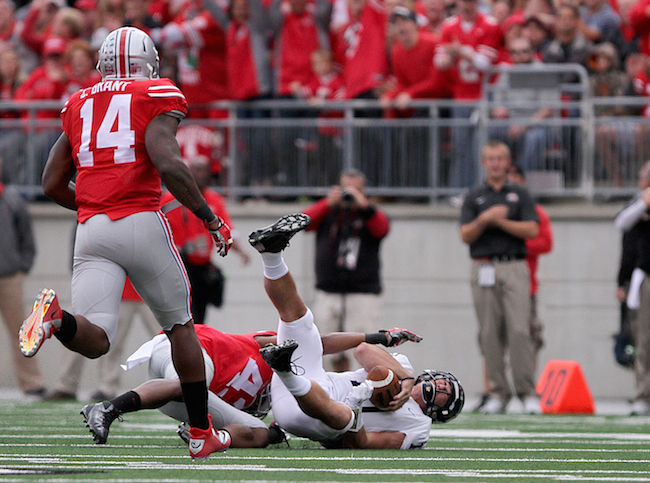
x=332, y=408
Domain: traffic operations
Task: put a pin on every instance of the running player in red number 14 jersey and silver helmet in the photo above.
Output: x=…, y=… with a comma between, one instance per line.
x=119, y=138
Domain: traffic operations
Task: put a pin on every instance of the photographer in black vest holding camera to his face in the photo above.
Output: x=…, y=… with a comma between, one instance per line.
x=349, y=230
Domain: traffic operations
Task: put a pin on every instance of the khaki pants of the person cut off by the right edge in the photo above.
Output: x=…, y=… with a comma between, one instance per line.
x=641, y=331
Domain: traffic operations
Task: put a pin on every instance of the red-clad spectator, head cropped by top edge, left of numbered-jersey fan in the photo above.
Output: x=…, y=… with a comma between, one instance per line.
x=299, y=30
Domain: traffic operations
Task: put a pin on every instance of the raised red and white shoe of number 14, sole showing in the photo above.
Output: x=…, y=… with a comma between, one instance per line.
x=44, y=321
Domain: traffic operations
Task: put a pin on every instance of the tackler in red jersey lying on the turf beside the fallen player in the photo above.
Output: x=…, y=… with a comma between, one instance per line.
x=238, y=383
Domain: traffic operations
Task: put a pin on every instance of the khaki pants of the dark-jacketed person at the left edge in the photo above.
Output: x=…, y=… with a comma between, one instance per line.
x=13, y=313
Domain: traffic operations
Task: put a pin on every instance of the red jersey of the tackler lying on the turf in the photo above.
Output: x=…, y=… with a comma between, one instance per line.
x=240, y=373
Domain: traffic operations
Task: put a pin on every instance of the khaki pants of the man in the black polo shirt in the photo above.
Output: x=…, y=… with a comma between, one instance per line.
x=503, y=313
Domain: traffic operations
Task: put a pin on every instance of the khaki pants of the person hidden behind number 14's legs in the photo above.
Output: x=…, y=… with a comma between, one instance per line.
x=109, y=365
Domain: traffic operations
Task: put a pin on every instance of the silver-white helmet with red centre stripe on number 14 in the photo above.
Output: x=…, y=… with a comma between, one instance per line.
x=128, y=53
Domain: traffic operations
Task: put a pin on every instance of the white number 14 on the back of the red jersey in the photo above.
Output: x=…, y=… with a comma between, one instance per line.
x=122, y=140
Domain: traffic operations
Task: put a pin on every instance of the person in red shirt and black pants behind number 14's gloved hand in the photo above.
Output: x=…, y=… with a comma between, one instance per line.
x=194, y=242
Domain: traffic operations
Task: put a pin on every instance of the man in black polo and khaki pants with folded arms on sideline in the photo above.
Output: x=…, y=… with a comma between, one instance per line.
x=495, y=220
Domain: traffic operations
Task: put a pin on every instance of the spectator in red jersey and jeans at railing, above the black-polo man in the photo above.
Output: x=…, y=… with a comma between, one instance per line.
x=470, y=44
